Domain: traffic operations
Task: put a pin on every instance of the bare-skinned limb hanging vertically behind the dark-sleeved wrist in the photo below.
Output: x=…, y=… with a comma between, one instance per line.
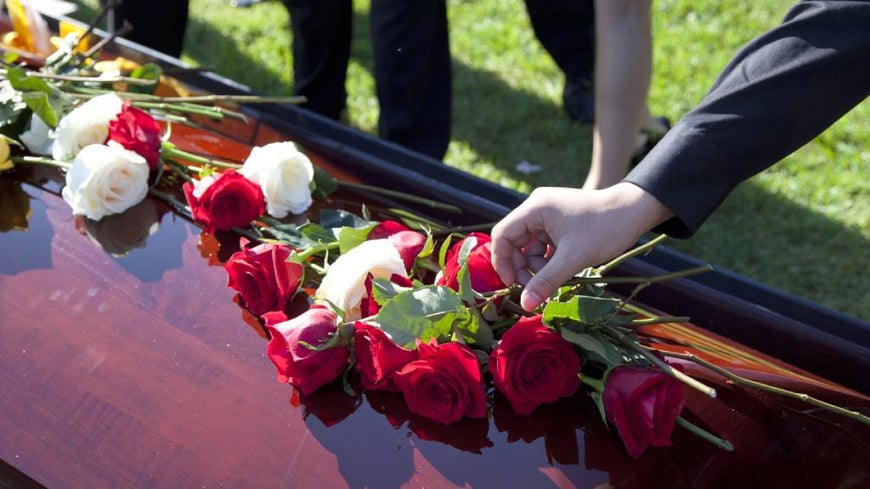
x=622, y=77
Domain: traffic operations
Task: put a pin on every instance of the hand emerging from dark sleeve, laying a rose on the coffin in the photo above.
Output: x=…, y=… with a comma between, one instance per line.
x=557, y=232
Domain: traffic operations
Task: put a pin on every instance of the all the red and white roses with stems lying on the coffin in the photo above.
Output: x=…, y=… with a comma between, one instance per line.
x=407, y=313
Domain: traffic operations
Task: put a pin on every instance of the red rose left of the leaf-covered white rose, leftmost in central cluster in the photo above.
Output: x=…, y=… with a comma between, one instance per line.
x=263, y=277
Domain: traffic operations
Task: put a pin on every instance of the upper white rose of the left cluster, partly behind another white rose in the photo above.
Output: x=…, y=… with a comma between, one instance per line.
x=85, y=125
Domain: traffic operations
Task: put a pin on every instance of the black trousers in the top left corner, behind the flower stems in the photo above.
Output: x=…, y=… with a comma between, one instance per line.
x=157, y=24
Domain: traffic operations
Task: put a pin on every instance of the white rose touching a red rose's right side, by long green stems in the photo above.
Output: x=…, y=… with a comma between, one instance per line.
x=284, y=173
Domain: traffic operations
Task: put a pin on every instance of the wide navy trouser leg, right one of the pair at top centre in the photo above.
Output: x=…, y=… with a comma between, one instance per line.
x=412, y=73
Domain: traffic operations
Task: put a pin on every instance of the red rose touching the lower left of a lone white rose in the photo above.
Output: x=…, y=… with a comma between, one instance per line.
x=224, y=201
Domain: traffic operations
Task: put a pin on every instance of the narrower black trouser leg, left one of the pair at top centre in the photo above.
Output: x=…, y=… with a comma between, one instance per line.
x=321, y=32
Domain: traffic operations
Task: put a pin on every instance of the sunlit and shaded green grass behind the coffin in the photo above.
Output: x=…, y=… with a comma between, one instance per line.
x=802, y=226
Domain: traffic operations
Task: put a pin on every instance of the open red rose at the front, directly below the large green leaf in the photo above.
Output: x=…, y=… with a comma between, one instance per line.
x=445, y=384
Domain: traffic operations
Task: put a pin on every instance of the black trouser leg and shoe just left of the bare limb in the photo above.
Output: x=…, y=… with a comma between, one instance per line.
x=566, y=29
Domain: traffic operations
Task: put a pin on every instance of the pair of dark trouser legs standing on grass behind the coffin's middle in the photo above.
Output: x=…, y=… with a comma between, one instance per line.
x=411, y=65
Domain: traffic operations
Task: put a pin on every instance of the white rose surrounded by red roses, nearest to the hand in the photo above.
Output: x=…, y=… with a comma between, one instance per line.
x=344, y=283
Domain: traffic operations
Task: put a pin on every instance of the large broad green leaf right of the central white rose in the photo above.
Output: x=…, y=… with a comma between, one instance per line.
x=426, y=313
